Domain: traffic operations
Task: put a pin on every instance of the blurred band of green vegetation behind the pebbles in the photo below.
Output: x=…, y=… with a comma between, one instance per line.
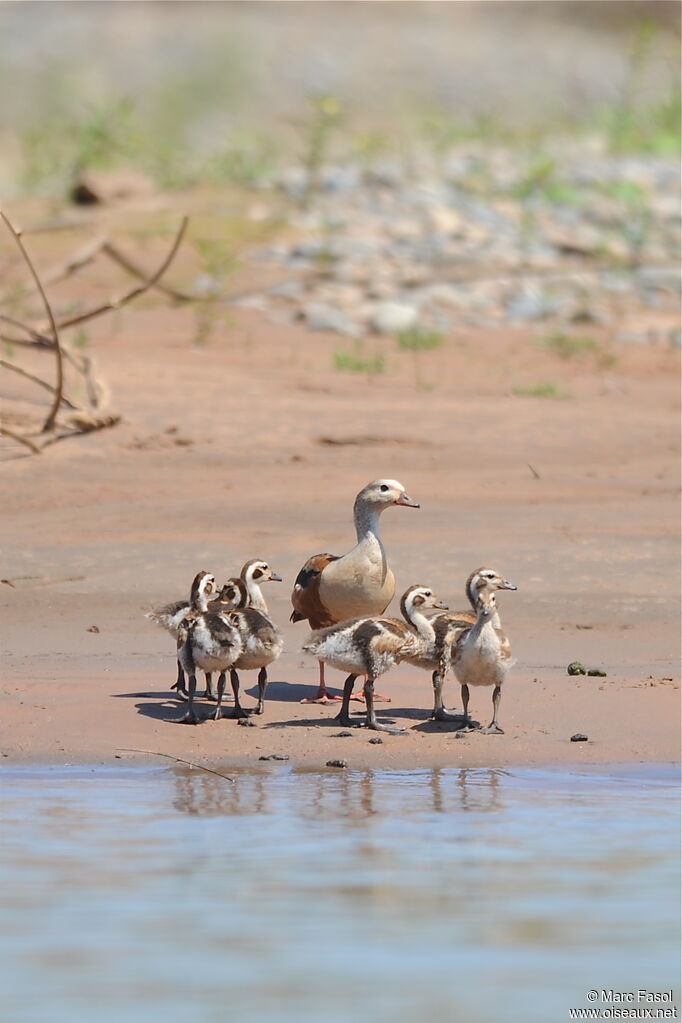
x=190, y=128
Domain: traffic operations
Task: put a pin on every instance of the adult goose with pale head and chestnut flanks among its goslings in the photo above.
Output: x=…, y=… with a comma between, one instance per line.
x=330, y=589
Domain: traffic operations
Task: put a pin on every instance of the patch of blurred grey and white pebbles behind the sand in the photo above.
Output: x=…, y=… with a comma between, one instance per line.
x=412, y=240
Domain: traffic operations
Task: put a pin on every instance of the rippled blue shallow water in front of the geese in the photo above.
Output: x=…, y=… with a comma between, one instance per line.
x=486, y=896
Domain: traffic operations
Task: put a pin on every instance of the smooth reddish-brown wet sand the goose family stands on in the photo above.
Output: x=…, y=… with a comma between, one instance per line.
x=255, y=447
